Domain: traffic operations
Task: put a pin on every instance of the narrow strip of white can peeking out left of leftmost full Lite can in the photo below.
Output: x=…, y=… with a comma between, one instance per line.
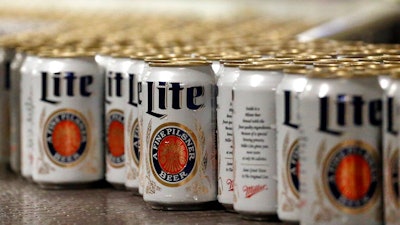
x=26, y=116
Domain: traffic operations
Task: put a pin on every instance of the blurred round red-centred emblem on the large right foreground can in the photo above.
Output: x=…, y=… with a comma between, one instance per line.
x=351, y=176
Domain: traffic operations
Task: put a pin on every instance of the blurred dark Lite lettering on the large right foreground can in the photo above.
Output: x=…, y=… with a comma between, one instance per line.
x=345, y=105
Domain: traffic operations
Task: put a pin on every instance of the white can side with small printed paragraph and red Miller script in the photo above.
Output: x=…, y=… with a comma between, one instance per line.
x=255, y=153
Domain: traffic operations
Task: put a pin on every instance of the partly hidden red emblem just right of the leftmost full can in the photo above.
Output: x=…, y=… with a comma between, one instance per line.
x=115, y=138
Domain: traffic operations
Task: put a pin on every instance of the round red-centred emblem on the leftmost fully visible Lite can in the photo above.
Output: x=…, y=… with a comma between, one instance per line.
x=66, y=137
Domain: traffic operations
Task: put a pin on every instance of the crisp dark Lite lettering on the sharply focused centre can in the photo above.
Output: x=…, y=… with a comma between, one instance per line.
x=169, y=96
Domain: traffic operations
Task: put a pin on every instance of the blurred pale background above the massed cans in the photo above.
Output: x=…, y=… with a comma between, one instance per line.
x=371, y=21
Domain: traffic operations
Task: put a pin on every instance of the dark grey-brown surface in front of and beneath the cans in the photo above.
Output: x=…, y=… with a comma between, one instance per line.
x=22, y=202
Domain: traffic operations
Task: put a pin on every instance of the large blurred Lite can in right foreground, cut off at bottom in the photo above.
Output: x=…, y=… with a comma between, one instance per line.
x=340, y=152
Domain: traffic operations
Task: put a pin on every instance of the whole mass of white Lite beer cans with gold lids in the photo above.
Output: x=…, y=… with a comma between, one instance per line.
x=291, y=129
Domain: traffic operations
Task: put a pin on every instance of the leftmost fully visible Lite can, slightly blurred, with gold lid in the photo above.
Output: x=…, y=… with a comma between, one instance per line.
x=67, y=89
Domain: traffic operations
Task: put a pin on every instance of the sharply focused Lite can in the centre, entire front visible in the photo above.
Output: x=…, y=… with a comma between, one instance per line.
x=179, y=135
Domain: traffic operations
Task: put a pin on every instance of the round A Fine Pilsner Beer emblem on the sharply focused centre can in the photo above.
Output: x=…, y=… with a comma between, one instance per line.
x=173, y=154
